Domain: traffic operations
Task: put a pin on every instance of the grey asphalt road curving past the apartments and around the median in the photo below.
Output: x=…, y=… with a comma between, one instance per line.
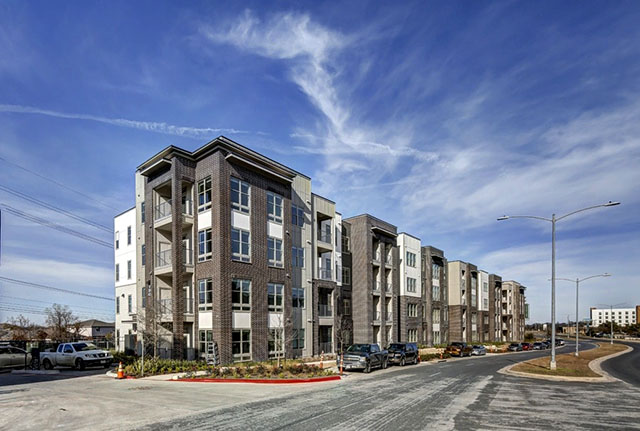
x=457, y=394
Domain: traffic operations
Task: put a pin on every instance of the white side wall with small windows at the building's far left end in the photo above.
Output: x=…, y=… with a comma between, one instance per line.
x=125, y=265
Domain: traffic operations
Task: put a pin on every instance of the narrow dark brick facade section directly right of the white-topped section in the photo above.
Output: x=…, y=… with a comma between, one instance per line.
x=435, y=318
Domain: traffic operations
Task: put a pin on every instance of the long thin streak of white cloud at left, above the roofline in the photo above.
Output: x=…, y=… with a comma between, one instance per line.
x=149, y=126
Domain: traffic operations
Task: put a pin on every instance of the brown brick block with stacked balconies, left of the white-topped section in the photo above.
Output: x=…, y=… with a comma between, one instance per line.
x=374, y=279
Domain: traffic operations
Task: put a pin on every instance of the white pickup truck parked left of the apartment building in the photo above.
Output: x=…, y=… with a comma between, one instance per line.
x=77, y=355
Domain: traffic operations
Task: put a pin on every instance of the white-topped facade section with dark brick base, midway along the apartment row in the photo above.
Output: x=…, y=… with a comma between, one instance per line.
x=410, y=302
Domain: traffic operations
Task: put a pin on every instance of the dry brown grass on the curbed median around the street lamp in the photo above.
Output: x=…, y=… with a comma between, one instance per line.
x=568, y=364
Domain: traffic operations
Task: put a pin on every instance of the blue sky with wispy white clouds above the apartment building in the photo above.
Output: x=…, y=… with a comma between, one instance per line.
x=438, y=117
